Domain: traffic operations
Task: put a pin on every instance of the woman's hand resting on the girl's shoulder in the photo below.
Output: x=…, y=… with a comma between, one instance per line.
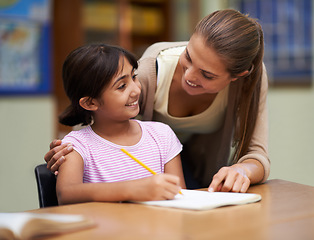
x=55, y=157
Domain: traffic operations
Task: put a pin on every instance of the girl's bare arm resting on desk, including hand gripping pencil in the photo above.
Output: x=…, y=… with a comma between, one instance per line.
x=71, y=189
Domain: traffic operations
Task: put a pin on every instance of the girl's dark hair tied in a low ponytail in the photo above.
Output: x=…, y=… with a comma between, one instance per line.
x=86, y=72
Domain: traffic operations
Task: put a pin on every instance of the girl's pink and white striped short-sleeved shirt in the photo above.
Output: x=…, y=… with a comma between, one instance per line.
x=105, y=162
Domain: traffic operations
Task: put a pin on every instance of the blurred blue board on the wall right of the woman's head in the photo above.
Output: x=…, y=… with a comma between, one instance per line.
x=287, y=26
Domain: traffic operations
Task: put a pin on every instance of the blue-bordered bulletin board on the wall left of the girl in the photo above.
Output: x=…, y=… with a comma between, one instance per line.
x=25, y=47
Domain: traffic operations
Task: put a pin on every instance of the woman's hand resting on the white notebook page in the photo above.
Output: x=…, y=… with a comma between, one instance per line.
x=230, y=179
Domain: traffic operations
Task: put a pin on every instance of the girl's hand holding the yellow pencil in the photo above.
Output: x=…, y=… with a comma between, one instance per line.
x=157, y=187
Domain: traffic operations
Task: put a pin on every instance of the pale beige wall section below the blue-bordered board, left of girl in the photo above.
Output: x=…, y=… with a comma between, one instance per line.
x=27, y=126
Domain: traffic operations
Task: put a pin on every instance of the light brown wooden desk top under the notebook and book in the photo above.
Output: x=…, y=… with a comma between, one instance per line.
x=285, y=212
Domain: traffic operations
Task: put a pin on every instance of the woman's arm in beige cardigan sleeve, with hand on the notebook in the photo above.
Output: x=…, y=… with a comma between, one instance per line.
x=254, y=167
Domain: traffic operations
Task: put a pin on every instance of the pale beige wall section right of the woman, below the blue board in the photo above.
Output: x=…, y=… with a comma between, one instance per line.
x=291, y=134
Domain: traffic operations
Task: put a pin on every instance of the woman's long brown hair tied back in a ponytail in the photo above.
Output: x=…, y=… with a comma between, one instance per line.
x=238, y=40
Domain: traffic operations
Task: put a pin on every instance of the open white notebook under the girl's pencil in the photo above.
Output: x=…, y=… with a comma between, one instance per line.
x=203, y=200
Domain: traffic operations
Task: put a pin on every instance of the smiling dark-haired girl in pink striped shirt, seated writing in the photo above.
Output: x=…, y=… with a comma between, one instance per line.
x=100, y=80
